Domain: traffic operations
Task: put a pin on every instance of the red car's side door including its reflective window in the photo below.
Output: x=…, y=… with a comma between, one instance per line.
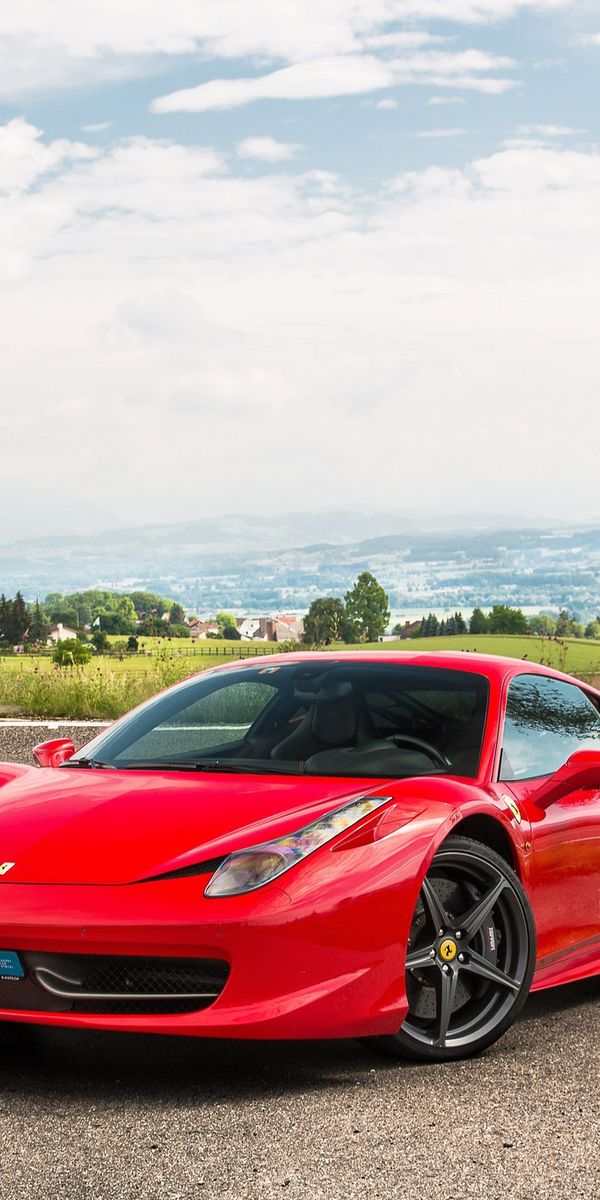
x=547, y=722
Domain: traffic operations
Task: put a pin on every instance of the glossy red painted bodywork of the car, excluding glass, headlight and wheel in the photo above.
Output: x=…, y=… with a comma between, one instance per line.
x=319, y=953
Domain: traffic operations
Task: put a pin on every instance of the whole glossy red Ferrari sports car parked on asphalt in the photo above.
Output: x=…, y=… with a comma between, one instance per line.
x=395, y=847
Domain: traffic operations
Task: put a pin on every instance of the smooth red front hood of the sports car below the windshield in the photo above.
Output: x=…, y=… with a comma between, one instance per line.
x=109, y=827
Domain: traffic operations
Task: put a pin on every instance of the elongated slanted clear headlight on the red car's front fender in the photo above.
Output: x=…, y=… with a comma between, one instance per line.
x=249, y=869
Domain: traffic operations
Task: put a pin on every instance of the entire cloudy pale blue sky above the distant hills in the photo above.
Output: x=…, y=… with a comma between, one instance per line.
x=287, y=255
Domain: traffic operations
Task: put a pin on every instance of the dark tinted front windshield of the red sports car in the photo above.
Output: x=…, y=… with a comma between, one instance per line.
x=343, y=719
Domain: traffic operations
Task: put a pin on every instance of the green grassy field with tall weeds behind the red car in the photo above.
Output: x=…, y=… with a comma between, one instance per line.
x=110, y=685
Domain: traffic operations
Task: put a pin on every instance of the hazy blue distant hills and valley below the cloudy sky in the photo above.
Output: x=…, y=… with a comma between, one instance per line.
x=280, y=563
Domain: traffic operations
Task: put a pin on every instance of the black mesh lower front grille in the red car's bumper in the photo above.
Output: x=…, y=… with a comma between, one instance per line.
x=113, y=985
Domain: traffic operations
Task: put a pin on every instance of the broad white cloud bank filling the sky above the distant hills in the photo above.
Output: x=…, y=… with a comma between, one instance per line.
x=154, y=298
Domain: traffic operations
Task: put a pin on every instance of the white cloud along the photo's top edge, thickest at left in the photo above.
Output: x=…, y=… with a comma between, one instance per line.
x=57, y=44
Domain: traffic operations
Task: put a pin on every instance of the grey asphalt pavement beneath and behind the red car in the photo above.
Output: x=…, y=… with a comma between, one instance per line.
x=103, y=1117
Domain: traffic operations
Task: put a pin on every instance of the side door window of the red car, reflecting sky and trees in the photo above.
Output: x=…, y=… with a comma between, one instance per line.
x=547, y=722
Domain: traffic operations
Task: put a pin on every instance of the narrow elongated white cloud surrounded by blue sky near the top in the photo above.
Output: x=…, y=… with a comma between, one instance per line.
x=345, y=76
